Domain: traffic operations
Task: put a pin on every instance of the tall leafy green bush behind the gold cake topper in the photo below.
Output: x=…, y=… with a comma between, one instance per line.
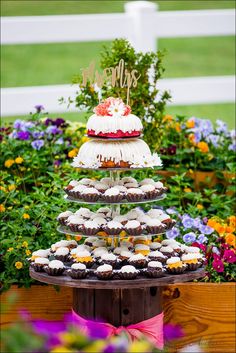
x=143, y=99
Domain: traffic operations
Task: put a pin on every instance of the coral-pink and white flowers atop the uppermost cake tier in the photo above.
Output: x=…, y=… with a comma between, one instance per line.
x=112, y=107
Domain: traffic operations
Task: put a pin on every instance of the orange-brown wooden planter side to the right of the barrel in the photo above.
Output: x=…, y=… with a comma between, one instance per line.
x=206, y=312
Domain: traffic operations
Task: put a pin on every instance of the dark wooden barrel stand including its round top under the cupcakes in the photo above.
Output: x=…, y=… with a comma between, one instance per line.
x=119, y=302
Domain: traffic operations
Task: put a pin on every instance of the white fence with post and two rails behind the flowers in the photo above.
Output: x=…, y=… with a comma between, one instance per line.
x=142, y=24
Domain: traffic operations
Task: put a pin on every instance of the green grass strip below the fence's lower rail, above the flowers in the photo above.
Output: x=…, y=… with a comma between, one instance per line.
x=224, y=112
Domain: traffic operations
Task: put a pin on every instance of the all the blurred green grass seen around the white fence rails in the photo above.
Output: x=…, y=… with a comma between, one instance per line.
x=56, y=63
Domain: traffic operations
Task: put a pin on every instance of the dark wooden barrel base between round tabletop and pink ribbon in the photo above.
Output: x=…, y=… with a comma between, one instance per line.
x=118, y=306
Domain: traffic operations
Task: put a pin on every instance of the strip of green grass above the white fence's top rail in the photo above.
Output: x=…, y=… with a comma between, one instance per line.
x=50, y=7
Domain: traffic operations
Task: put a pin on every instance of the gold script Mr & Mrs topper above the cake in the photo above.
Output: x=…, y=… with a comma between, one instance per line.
x=117, y=76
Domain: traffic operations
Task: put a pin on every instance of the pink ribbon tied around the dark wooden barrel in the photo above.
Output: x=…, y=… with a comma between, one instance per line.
x=152, y=329
